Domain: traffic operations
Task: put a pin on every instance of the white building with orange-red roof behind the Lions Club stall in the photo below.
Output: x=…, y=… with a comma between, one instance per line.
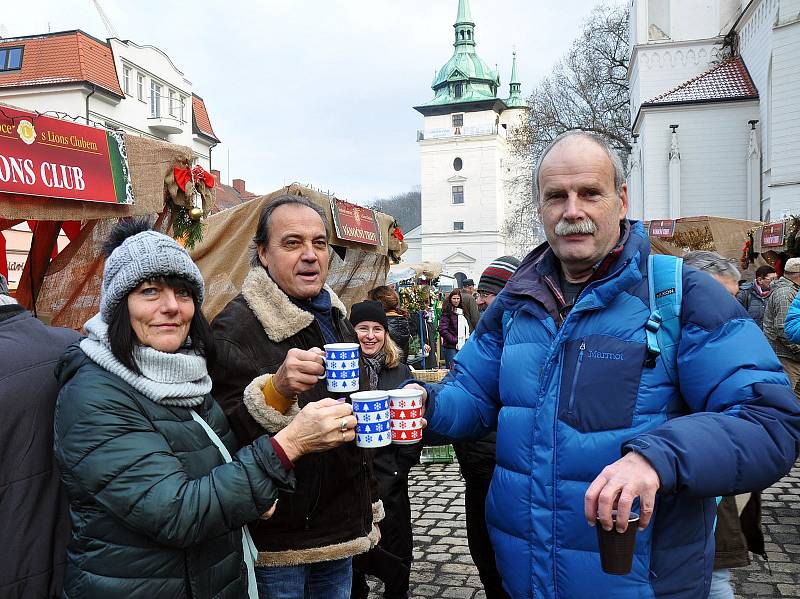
x=116, y=84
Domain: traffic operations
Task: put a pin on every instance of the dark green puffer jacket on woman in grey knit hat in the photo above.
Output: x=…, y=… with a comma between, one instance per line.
x=156, y=512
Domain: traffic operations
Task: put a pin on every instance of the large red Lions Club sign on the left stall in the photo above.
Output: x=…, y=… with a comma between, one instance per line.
x=43, y=156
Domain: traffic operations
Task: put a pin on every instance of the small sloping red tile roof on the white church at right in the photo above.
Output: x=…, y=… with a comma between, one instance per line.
x=728, y=80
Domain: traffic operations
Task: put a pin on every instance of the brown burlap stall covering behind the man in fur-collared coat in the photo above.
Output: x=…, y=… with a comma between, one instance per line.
x=224, y=254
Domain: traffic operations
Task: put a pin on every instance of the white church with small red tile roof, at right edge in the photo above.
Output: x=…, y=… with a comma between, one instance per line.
x=715, y=108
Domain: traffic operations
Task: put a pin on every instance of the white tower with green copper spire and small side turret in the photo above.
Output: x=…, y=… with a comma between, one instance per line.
x=464, y=158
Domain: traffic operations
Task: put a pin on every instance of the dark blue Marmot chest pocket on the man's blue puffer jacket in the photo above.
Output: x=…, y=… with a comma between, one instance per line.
x=600, y=382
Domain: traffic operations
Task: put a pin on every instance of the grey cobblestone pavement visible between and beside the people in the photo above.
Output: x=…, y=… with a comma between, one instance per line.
x=443, y=567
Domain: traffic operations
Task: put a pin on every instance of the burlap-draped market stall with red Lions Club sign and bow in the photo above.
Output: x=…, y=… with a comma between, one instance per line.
x=62, y=176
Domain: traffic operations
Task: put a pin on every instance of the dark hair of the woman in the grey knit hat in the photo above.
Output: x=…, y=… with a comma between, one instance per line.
x=123, y=340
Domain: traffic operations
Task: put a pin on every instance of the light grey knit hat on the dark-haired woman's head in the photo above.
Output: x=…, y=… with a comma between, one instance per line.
x=146, y=255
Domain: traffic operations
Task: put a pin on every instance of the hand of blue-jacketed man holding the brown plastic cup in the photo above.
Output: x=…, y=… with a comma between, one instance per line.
x=616, y=487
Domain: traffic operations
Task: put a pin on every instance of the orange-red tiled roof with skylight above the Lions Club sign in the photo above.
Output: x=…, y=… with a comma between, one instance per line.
x=65, y=57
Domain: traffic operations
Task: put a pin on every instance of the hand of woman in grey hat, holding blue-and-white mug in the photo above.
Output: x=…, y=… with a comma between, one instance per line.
x=319, y=426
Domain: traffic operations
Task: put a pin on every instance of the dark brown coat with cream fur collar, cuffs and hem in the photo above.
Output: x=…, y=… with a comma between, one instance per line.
x=330, y=515
